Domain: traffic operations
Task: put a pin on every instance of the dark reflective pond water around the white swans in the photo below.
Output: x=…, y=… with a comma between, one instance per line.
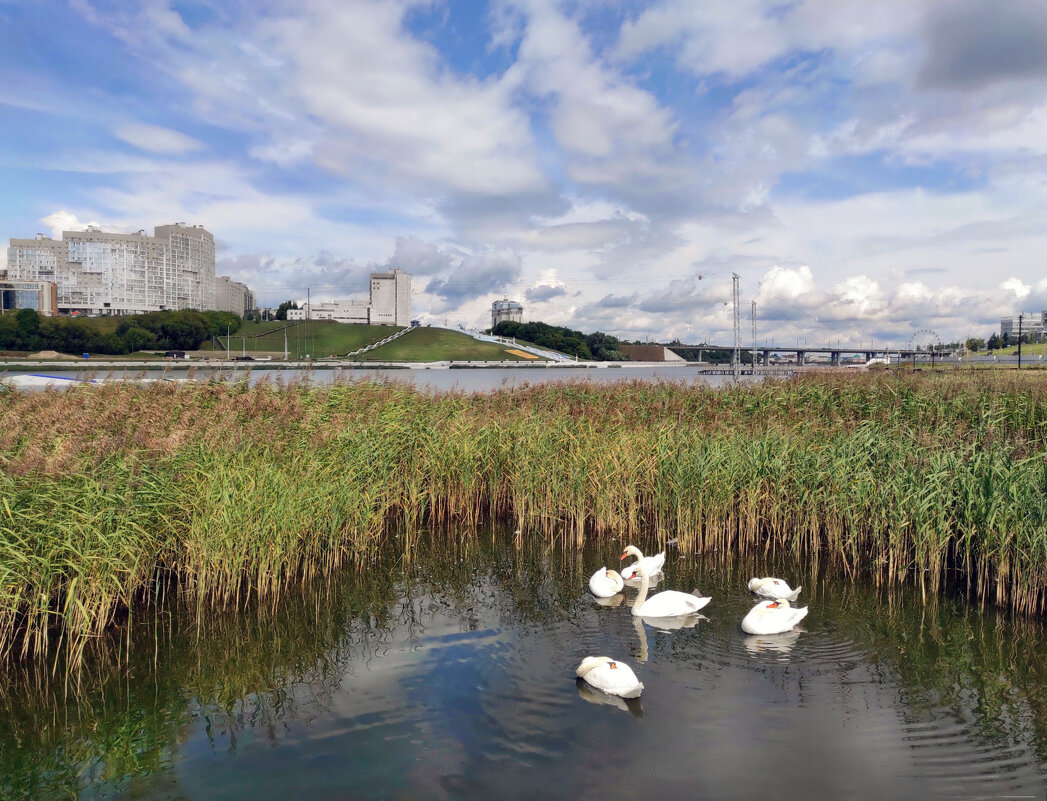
x=452, y=677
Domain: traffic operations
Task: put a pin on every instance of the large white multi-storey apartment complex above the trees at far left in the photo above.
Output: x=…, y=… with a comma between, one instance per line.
x=99, y=273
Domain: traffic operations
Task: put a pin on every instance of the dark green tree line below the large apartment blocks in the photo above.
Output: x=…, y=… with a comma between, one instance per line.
x=186, y=330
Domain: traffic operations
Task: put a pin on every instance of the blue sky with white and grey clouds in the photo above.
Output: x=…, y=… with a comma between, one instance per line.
x=875, y=172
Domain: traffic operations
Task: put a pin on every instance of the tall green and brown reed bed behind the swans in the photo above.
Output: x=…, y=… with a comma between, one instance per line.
x=115, y=494
